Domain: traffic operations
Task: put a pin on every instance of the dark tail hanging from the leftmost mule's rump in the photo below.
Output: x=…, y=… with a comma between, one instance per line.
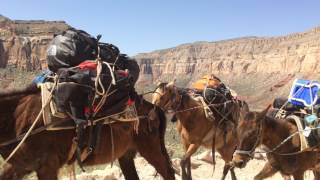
x=162, y=131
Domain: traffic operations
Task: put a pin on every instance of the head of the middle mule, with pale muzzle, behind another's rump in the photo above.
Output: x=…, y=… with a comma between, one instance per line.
x=166, y=96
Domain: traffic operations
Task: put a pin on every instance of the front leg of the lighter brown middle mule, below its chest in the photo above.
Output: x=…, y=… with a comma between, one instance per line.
x=190, y=151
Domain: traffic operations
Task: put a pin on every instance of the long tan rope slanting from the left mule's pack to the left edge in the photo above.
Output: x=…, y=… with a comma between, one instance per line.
x=32, y=126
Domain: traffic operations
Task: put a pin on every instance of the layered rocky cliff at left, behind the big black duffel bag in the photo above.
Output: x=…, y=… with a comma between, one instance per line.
x=23, y=44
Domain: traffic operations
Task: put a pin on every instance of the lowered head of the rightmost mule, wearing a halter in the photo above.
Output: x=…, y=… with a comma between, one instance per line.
x=249, y=132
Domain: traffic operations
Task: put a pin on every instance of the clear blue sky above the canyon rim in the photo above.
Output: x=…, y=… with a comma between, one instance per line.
x=137, y=26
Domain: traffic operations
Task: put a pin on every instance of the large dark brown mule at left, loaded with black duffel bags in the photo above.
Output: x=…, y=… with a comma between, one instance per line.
x=46, y=152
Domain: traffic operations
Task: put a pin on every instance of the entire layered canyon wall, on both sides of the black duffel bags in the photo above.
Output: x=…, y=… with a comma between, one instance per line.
x=258, y=68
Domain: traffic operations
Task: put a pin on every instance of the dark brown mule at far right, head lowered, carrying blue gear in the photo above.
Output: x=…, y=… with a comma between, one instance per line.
x=255, y=128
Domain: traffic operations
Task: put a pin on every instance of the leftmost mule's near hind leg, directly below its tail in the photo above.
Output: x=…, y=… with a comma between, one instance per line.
x=150, y=149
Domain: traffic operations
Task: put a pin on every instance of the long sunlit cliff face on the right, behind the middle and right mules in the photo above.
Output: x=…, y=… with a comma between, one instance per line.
x=256, y=67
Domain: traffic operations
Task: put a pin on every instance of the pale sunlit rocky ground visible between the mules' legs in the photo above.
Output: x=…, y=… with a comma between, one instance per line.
x=201, y=169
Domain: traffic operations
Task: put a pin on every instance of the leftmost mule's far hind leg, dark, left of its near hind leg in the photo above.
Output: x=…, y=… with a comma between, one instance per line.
x=127, y=166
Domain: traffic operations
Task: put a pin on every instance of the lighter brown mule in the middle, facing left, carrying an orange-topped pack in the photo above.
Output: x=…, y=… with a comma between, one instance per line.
x=196, y=129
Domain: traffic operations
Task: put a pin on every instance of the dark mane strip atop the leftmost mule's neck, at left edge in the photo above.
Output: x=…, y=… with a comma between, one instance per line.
x=30, y=89
